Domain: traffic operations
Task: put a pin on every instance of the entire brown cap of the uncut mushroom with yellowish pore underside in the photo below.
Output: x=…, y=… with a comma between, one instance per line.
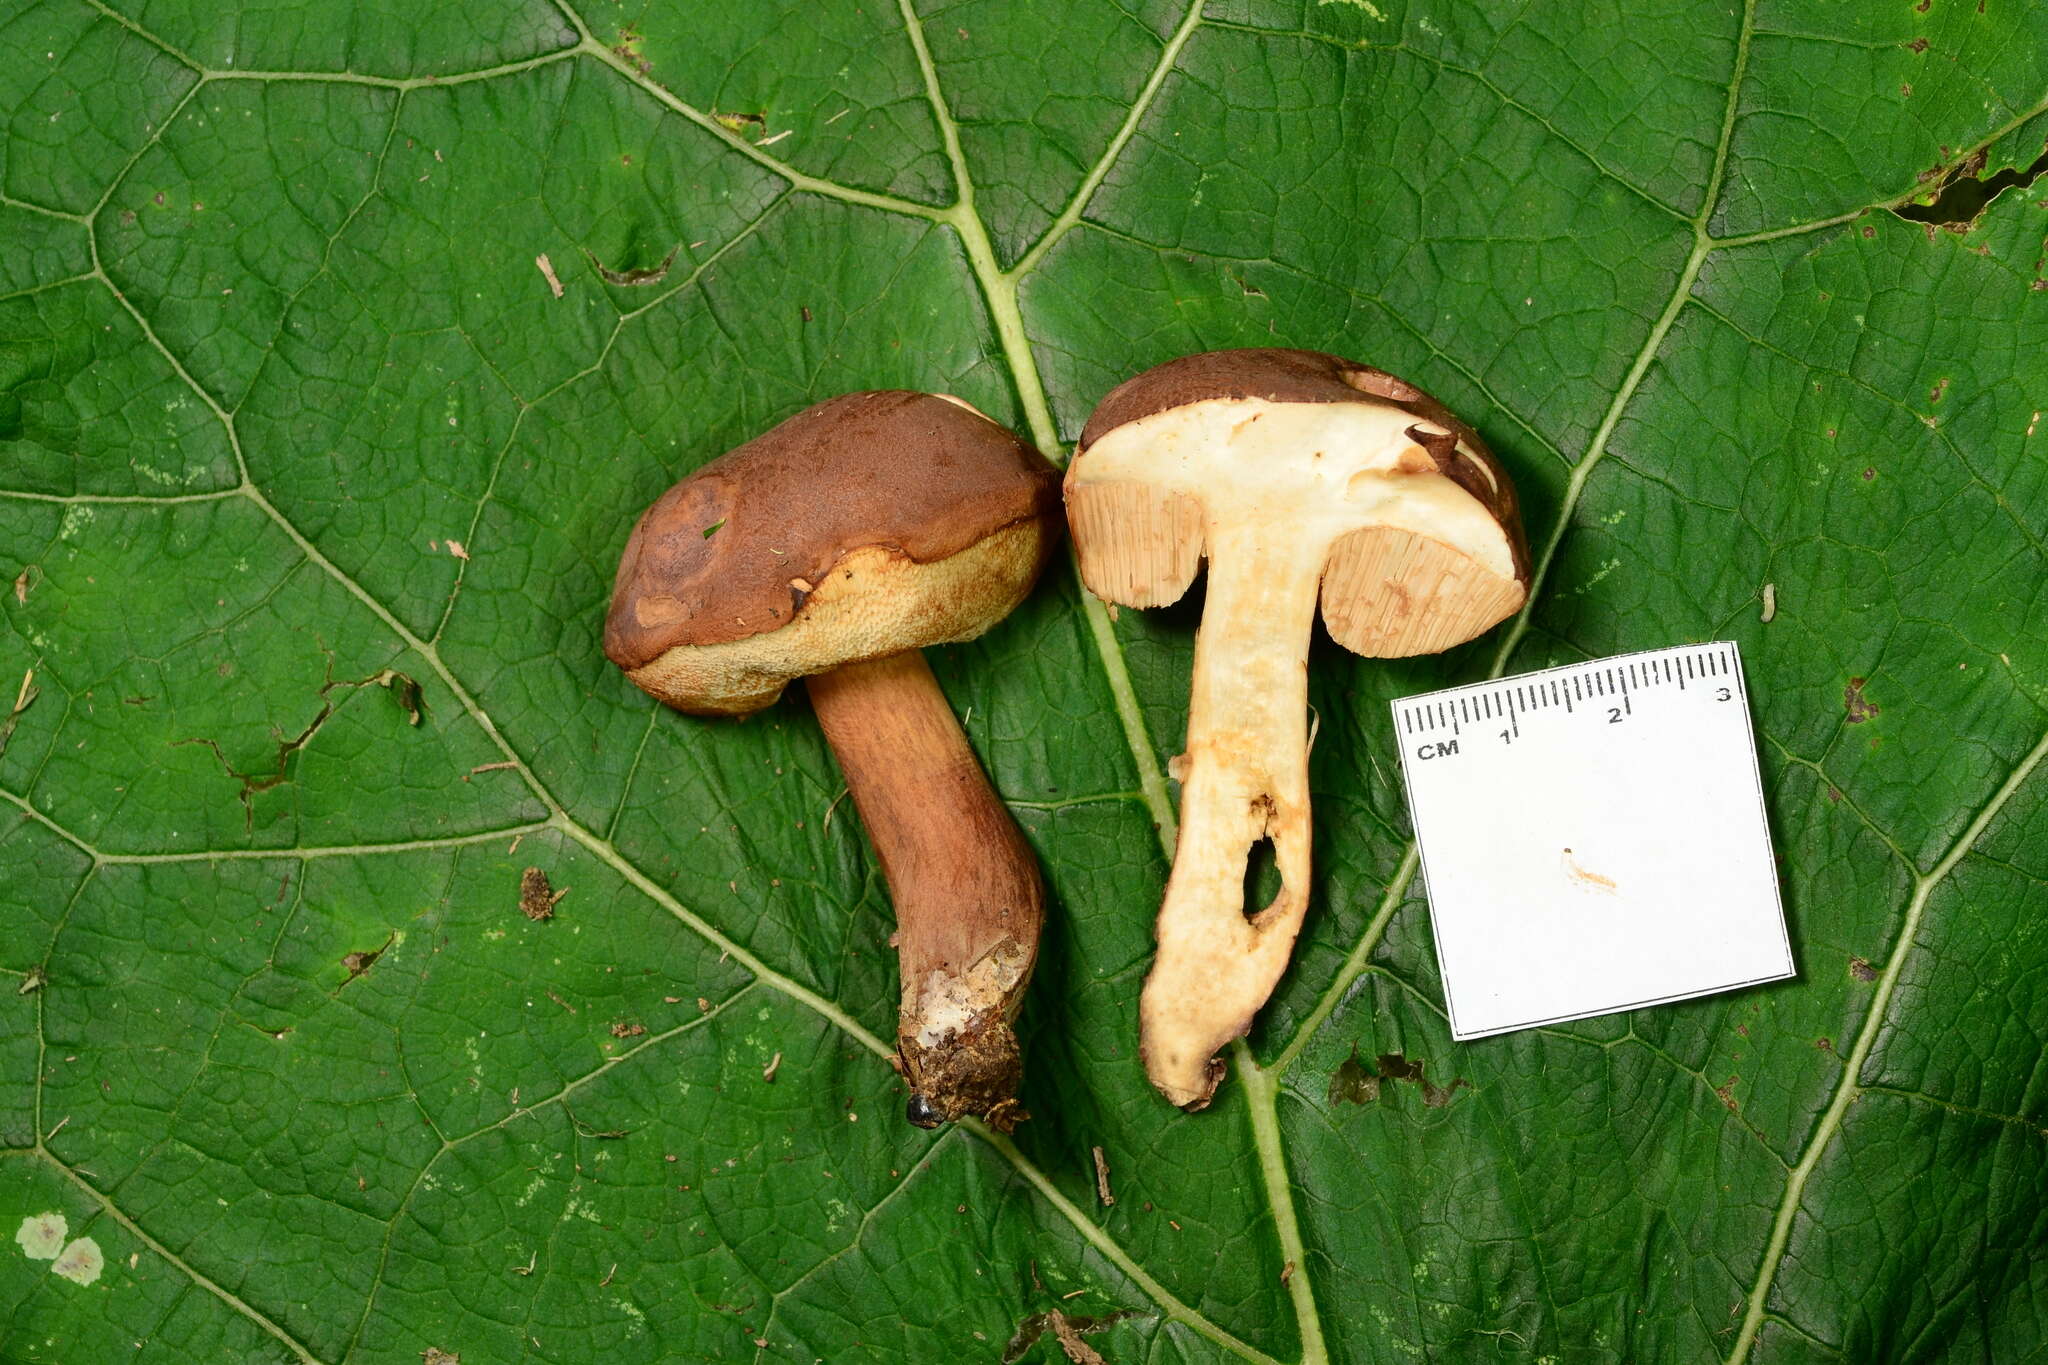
x=865, y=525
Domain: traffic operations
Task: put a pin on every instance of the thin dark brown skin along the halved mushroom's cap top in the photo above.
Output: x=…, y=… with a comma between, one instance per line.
x=1285, y=376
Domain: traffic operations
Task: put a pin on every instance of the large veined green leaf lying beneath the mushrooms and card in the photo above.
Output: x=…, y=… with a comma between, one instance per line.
x=312, y=484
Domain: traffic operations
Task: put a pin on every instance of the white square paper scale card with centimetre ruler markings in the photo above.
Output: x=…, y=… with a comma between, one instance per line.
x=1594, y=838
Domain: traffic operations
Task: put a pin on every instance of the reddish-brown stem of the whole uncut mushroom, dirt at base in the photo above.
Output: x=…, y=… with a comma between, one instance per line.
x=966, y=885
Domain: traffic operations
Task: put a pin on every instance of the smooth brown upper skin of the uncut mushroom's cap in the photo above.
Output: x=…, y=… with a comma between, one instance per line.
x=714, y=558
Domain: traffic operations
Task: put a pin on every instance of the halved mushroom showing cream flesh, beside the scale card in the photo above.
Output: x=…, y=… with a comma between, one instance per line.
x=1299, y=476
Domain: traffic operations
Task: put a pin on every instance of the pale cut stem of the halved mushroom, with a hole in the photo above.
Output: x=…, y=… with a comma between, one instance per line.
x=1244, y=779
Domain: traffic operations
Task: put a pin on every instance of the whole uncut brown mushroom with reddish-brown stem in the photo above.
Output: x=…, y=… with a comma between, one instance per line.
x=835, y=547
